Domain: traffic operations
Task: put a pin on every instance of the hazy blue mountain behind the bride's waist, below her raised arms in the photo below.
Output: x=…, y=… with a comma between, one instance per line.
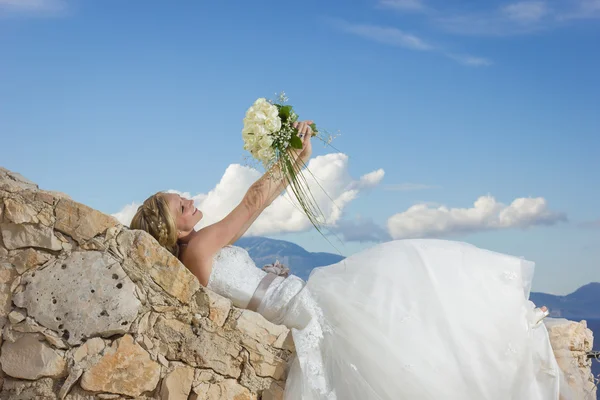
x=299, y=261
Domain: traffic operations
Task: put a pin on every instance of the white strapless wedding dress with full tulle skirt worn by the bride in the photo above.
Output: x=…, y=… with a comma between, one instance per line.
x=412, y=319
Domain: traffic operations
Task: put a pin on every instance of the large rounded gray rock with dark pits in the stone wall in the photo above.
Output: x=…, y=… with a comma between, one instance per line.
x=87, y=294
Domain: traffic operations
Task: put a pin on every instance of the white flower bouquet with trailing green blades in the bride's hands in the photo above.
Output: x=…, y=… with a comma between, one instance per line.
x=269, y=135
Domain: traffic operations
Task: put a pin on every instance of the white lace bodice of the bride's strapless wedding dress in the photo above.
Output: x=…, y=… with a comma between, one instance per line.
x=235, y=276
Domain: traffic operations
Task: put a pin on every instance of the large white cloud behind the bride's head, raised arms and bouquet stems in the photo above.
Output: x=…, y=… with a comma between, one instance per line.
x=330, y=180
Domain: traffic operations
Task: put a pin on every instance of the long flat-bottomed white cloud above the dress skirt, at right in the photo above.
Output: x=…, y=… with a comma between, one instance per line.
x=423, y=220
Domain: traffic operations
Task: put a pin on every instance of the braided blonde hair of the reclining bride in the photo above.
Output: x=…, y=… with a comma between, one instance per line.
x=154, y=217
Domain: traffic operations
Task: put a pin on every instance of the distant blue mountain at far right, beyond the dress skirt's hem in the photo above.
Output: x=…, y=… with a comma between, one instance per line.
x=584, y=303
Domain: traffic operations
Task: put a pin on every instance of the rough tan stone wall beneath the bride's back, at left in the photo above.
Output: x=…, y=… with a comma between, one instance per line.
x=92, y=310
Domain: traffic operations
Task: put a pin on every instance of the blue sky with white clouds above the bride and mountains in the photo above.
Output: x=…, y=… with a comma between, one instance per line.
x=438, y=104
